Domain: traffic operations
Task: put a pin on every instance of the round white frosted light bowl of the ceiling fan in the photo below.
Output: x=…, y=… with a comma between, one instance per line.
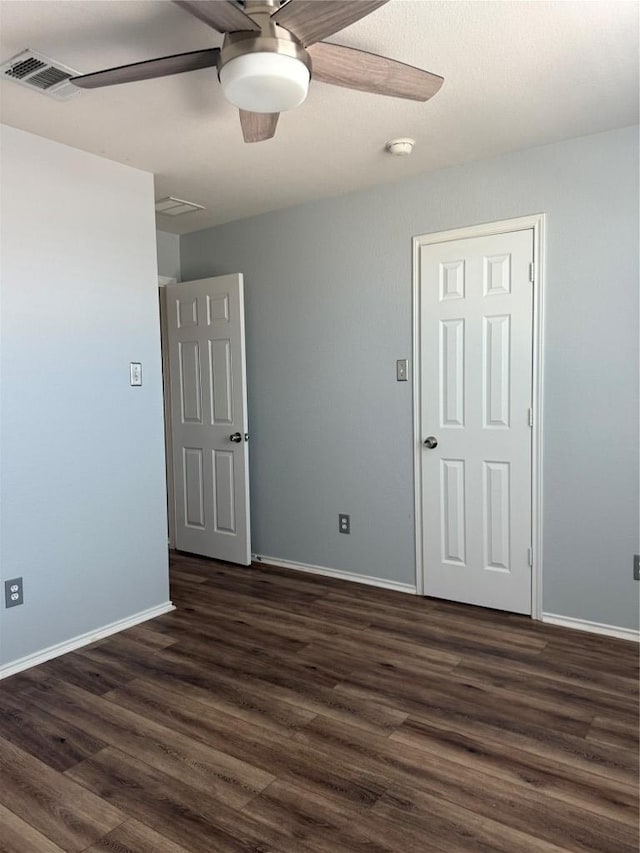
x=265, y=82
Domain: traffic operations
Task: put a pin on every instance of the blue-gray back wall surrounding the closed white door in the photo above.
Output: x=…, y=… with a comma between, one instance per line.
x=328, y=302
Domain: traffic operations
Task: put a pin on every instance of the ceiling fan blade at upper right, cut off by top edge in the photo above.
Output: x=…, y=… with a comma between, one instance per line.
x=314, y=20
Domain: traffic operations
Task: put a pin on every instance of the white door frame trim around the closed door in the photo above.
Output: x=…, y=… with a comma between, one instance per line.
x=537, y=223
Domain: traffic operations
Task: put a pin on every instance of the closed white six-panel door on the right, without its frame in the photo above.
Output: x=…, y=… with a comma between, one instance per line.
x=476, y=318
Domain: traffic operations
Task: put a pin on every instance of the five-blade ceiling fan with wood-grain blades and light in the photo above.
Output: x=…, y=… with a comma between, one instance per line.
x=271, y=50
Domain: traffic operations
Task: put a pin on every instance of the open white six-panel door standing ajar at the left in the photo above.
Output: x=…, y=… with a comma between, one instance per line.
x=205, y=321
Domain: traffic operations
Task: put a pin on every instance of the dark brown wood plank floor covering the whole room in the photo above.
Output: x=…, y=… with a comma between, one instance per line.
x=275, y=711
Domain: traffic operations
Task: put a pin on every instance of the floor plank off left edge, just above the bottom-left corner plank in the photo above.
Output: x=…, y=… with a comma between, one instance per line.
x=55, y=806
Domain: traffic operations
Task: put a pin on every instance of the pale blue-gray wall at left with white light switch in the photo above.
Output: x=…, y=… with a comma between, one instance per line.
x=82, y=454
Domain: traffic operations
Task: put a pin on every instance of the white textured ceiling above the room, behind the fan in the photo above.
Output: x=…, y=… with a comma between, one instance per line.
x=517, y=74
